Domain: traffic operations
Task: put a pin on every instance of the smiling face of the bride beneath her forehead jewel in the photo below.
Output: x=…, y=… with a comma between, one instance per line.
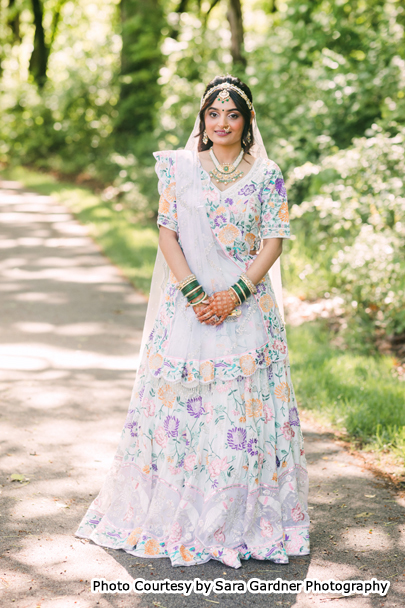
x=224, y=123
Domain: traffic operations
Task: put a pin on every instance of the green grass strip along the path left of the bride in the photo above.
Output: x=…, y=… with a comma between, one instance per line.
x=128, y=243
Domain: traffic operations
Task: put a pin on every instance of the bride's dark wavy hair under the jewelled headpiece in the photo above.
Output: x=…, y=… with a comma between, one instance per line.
x=240, y=104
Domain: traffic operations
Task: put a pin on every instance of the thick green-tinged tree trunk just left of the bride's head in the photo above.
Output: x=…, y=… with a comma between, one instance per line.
x=141, y=60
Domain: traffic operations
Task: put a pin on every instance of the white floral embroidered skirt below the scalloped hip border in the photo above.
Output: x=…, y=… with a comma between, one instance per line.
x=210, y=472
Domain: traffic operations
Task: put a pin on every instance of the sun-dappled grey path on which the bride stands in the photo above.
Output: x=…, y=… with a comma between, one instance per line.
x=70, y=332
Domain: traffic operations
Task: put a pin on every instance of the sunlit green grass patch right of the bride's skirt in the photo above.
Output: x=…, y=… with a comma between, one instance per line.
x=352, y=390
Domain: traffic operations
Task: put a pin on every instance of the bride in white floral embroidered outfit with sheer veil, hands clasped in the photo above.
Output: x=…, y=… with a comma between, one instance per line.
x=211, y=464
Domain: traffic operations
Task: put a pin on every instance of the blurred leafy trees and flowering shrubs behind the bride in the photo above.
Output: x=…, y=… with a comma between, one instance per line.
x=90, y=89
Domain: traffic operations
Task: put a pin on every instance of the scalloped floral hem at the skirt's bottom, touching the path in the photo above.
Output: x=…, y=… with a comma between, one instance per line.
x=295, y=543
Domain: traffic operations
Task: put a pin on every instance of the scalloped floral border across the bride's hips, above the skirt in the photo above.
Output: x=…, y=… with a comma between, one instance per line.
x=193, y=372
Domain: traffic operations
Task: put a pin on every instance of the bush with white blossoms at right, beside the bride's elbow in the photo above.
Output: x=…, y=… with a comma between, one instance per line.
x=352, y=233
